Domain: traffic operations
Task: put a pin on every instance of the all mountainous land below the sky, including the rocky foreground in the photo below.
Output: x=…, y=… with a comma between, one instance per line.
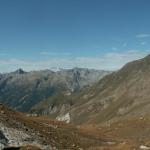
x=101, y=112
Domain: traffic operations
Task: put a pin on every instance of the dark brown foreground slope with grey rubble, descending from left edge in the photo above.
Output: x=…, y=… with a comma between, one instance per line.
x=20, y=130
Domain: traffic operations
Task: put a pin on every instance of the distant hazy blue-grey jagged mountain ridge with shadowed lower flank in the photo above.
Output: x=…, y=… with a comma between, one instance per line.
x=22, y=90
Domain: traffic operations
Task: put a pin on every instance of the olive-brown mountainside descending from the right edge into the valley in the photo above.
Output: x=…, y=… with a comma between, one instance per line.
x=122, y=94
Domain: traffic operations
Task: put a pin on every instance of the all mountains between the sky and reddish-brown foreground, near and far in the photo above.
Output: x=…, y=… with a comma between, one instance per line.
x=82, y=95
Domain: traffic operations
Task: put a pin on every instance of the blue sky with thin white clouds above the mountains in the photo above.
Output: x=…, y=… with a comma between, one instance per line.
x=100, y=34
